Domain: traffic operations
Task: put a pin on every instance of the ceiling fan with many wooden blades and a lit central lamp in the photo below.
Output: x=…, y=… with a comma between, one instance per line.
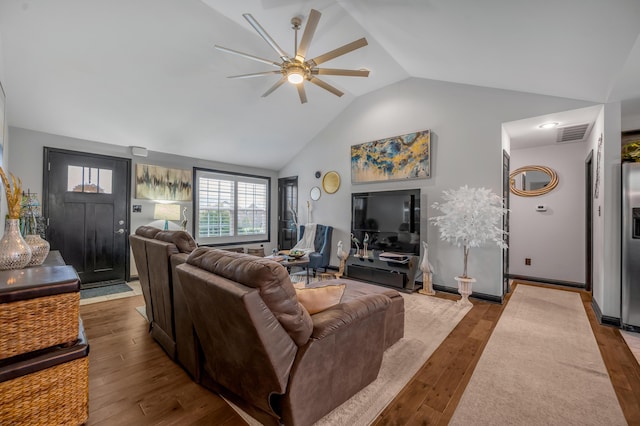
x=297, y=69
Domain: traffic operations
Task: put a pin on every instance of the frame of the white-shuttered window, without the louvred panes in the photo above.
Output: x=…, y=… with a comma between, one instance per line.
x=236, y=239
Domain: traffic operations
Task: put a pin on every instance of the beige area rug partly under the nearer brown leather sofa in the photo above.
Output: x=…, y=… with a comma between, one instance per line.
x=428, y=321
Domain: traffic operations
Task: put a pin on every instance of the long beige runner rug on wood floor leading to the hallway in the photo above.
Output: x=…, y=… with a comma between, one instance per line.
x=541, y=366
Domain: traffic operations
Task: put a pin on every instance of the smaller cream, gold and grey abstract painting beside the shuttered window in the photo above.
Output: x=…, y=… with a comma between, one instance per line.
x=161, y=183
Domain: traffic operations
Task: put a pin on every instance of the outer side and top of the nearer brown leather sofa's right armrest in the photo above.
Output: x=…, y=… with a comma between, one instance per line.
x=342, y=356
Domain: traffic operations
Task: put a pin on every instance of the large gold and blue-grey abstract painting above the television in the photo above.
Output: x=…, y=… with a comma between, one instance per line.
x=396, y=158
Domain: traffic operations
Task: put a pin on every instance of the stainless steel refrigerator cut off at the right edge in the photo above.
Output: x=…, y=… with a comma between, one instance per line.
x=631, y=246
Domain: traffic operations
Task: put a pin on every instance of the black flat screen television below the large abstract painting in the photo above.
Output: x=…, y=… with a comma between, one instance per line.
x=391, y=218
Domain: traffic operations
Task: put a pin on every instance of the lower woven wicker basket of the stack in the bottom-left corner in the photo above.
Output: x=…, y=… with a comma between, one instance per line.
x=56, y=395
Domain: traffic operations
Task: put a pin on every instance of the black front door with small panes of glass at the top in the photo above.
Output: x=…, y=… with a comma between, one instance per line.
x=86, y=202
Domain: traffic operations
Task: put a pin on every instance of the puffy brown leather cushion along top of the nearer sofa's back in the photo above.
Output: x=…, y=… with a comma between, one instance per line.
x=269, y=277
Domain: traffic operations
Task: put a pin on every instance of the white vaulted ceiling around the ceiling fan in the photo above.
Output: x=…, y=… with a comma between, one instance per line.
x=145, y=73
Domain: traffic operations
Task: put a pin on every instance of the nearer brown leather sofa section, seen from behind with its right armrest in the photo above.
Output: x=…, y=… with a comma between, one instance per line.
x=261, y=349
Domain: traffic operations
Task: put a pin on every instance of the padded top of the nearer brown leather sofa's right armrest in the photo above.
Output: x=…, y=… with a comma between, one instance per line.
x=344, y=314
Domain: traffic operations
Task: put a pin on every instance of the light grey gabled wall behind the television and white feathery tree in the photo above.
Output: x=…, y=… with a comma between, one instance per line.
x=466, y=124
